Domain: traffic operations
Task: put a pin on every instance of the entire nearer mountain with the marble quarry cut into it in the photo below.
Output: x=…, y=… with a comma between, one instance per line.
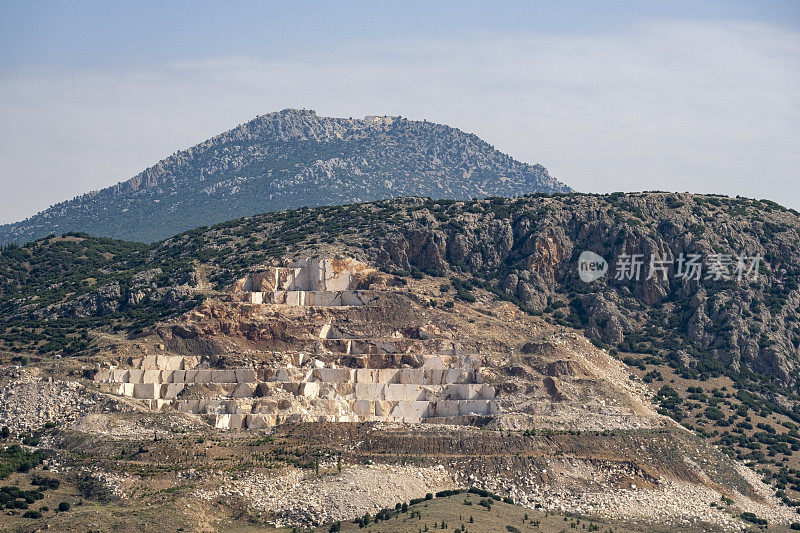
x=633, y=398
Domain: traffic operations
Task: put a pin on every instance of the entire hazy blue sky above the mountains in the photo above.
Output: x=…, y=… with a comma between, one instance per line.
x=609, y=96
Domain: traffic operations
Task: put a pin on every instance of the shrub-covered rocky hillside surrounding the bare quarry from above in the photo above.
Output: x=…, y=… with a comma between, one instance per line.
x=722, y=355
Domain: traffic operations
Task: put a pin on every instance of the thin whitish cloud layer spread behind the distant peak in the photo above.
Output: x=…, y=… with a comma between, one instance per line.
x=671, y=105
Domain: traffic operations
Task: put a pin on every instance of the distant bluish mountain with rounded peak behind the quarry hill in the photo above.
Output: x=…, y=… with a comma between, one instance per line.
x=290, y=159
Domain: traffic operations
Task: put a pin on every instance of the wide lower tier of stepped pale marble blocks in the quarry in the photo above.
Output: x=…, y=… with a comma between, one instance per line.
x=445, y=389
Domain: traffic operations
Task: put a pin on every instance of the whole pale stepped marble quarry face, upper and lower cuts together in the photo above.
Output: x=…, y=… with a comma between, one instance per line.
x=380, y=376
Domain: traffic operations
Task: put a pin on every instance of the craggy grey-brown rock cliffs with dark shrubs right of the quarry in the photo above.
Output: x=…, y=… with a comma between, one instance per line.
x=528, y=250
